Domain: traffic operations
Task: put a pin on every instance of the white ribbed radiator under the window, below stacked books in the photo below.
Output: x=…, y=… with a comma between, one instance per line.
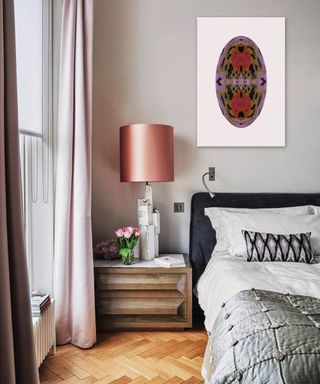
x=44, y=334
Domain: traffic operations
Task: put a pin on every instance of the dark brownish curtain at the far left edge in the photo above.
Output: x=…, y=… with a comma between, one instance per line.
x=17, y=356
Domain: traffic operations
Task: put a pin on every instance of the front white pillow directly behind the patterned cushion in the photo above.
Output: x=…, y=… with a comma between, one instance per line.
x=269, y=223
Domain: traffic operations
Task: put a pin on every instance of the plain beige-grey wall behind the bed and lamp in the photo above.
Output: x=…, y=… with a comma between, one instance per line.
x=145, y=71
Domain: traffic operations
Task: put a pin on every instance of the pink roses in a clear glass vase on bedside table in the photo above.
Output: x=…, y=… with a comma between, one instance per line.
x=127, y=238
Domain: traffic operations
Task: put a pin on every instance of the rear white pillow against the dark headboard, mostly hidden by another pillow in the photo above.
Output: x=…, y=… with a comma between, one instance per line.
x=218, y=221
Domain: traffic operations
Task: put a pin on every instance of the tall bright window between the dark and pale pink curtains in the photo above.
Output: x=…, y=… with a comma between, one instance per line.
x=33, y=22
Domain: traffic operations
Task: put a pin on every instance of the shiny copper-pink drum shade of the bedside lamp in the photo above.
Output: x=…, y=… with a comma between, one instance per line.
x=146, y=153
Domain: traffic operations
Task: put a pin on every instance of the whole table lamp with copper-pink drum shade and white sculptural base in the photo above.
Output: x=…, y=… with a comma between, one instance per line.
x=146, y=155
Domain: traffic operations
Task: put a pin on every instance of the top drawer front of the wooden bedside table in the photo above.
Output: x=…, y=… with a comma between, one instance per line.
x=143, y=281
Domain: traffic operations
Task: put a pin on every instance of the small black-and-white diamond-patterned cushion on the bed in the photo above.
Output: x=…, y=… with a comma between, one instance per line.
x=272, y=247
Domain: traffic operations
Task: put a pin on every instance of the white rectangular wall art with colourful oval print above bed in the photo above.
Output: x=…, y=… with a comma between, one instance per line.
x=241, y=81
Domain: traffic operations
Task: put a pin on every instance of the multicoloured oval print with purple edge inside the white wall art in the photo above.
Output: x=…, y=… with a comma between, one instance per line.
x=241, y=81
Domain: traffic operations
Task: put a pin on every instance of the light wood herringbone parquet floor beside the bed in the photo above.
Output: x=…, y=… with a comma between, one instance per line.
x=130, y=357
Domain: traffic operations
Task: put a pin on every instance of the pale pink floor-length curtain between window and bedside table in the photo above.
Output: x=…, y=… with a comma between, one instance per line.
x=73, y=276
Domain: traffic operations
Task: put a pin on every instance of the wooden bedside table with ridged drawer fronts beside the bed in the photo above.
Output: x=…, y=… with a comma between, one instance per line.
x=143, y=295
